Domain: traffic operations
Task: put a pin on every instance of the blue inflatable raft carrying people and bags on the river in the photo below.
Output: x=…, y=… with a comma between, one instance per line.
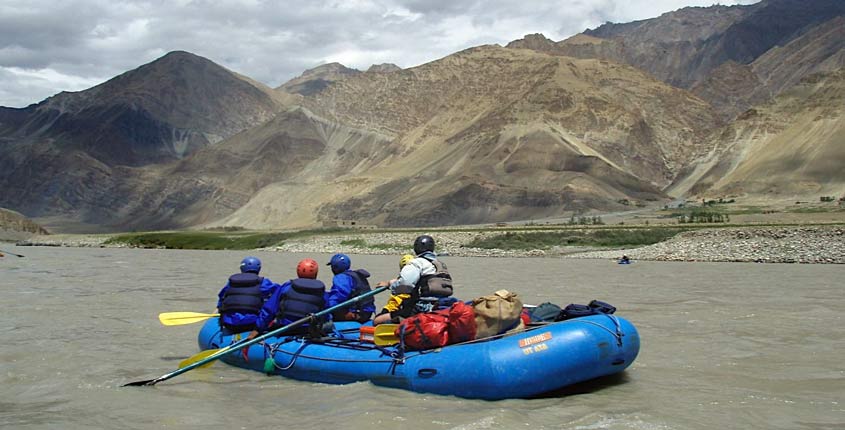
x=541, y=359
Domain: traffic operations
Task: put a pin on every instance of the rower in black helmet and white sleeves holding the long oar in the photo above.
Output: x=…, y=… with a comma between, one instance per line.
x=425, y=280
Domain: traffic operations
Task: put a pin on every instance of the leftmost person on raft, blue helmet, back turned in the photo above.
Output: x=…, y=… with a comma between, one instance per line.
x=241, y=299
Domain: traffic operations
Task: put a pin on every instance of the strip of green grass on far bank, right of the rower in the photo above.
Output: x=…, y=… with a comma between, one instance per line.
x=587, y=237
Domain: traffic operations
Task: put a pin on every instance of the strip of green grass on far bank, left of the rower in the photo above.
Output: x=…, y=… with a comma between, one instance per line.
x=215, y=240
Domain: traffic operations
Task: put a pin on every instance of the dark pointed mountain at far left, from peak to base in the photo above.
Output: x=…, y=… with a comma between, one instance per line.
x=64, y=155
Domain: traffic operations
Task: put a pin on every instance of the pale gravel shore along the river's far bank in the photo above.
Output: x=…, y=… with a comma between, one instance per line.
x=813, y=244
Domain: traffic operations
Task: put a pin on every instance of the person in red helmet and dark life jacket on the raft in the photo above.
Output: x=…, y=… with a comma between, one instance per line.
x=292, y=301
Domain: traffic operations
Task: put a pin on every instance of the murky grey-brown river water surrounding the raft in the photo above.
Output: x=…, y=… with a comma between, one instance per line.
x=724, y=345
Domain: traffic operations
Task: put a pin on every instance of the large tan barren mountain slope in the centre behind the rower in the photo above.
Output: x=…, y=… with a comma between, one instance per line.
x=489, y=134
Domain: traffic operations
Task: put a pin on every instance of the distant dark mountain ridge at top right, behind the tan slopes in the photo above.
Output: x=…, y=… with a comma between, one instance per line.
x=719, y=49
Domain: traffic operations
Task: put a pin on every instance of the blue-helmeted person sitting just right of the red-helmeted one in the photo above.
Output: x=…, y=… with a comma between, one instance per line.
x=347, y=284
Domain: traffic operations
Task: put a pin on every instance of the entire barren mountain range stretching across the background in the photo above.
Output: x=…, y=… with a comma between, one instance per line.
x=743, y=100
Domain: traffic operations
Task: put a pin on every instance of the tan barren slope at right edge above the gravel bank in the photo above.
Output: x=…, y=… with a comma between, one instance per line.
x=791, y=147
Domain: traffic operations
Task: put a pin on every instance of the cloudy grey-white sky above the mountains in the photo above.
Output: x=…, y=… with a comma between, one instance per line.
x=47, y=46
